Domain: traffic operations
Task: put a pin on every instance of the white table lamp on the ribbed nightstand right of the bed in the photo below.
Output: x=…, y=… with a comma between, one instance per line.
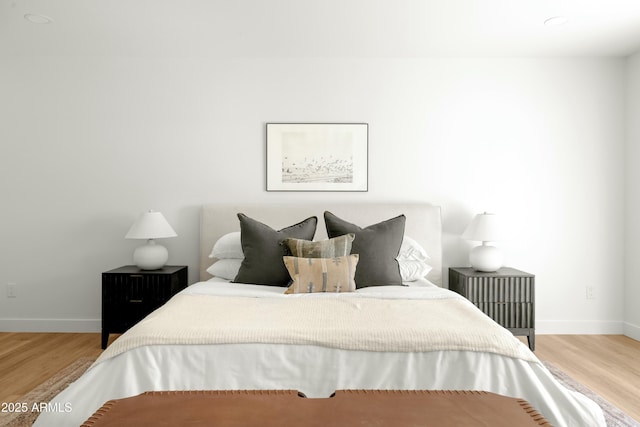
x=485, y=227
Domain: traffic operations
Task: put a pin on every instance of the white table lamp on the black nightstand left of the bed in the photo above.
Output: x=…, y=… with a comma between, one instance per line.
x=150, y=225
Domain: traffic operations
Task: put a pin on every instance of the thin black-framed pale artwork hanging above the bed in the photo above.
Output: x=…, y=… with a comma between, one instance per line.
x=317, y=156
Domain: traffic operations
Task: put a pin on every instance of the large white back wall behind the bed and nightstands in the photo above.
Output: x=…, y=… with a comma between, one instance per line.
x=89, y=143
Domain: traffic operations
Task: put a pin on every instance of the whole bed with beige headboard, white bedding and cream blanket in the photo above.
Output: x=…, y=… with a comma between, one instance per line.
x=221, y=335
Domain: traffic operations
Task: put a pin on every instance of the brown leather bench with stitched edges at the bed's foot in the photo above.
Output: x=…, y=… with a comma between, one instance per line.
x=288, y=408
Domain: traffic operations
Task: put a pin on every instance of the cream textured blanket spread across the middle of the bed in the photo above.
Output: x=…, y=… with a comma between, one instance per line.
x=369, y=324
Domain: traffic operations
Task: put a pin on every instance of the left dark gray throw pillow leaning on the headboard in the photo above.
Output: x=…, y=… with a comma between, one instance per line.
x=262, y=263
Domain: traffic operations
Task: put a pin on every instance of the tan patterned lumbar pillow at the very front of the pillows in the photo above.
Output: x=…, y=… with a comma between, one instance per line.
x=312, y=275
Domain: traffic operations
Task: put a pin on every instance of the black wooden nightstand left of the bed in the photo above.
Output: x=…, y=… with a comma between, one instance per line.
x=129, y=294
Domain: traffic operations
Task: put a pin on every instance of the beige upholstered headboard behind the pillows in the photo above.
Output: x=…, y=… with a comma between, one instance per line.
x=423, y=224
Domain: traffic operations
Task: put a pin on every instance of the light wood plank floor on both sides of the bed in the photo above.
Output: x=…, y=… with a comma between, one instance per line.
x=607, y=364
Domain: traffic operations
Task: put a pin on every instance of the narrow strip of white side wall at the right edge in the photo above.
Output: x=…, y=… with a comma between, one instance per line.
x=632, y=278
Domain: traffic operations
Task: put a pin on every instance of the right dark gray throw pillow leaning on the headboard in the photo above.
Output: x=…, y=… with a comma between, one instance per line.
x=378, y=246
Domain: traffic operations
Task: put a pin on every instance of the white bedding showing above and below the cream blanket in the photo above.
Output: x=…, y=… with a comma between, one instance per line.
x=304, y=368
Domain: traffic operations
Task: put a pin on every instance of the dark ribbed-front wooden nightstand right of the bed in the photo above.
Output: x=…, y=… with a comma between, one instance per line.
x=507, y=296
